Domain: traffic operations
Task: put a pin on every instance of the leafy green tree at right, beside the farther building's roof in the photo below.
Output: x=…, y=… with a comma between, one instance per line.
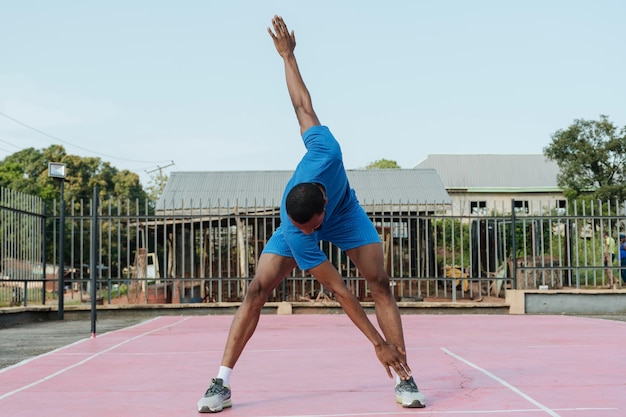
x=591, y=156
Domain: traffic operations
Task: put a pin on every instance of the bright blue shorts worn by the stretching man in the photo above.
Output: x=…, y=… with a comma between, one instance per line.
x=347, y=230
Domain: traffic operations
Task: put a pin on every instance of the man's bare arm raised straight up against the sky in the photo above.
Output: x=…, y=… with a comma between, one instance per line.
x=285, y=43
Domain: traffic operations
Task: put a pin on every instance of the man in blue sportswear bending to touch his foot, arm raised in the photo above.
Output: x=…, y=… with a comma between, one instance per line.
x=318, y=204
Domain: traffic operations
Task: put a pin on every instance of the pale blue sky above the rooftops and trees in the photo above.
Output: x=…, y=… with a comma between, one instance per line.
x=196, y=85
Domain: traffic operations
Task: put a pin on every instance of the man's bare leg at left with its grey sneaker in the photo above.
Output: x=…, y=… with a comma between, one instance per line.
x=272, y=269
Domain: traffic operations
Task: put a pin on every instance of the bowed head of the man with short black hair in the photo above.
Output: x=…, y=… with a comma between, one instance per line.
x=305, y=206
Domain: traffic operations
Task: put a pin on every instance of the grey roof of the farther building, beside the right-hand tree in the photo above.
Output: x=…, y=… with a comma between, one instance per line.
x=504, y=172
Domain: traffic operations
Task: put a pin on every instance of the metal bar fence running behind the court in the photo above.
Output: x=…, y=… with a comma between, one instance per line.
x=210, y=255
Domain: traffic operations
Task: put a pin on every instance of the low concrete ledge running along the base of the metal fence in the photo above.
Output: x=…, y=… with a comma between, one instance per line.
x=568, y=301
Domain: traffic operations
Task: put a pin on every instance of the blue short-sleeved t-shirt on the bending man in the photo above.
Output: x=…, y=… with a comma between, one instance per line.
x=321, y=164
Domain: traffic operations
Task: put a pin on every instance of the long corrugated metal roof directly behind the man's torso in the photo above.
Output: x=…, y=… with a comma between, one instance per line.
x=212, y=189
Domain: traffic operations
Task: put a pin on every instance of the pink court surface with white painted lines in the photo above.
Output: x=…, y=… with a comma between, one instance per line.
x=322, y=366
